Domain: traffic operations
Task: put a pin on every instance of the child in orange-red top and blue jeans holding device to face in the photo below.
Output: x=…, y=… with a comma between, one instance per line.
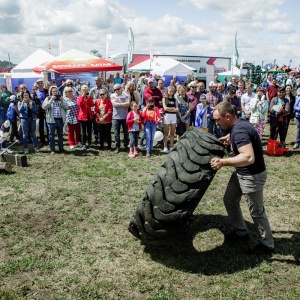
x=151, y=117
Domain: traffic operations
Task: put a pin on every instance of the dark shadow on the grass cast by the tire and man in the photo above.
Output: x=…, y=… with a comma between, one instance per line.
x=223, y=259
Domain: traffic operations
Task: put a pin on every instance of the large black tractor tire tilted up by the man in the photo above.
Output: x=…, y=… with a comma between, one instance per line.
x=177, y=188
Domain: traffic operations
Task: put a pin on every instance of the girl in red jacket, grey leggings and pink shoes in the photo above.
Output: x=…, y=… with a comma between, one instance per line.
x=134, y=124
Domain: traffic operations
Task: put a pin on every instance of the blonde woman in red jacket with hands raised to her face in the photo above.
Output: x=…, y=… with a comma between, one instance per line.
x=85, y=115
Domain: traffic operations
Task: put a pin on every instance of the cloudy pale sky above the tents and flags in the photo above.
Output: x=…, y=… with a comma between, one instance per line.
x=266, y=30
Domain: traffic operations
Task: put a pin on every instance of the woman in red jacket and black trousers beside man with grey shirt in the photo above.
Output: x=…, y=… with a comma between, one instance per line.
x=103, y=111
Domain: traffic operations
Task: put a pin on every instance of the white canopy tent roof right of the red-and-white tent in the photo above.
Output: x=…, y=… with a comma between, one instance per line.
x=163, y=66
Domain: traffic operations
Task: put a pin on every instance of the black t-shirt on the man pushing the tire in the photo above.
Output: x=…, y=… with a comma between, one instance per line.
x=243, y=133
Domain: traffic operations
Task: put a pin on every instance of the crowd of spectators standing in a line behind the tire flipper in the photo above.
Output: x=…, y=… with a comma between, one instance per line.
x=139, y=107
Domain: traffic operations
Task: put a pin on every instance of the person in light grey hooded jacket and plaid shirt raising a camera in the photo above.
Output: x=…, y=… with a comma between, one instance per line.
x=55, y=107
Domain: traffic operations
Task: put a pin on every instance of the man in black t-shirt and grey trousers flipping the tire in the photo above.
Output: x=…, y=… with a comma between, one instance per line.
x=248, y=178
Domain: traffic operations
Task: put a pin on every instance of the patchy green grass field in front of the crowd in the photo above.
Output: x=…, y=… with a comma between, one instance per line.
x=63, y=234
